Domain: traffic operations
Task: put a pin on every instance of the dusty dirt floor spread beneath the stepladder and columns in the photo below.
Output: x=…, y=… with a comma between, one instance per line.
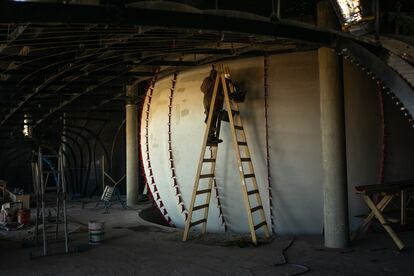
x=136, y=247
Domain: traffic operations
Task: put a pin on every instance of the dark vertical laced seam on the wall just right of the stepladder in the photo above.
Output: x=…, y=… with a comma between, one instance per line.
x=269, y=186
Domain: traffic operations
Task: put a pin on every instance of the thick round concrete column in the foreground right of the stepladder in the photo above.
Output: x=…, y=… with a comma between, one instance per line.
x=332, y=120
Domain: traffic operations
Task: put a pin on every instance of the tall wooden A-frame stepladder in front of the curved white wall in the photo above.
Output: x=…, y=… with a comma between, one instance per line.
x=203, y=184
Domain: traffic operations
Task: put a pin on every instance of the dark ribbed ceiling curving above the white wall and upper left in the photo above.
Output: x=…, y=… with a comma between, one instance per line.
x=65, y=58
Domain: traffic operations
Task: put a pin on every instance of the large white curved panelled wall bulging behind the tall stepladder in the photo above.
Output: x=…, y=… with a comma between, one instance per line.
x=294, y=144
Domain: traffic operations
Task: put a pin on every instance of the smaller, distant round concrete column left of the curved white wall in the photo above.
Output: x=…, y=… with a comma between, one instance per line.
x=131, y=128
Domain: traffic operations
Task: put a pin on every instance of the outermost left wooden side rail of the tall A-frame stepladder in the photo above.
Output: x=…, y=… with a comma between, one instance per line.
x=202, y=155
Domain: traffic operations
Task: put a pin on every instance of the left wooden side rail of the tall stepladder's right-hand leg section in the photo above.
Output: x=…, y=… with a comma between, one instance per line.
x=239, y=163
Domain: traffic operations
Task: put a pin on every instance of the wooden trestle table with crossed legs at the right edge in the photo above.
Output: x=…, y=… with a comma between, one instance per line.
x=386, y=193
